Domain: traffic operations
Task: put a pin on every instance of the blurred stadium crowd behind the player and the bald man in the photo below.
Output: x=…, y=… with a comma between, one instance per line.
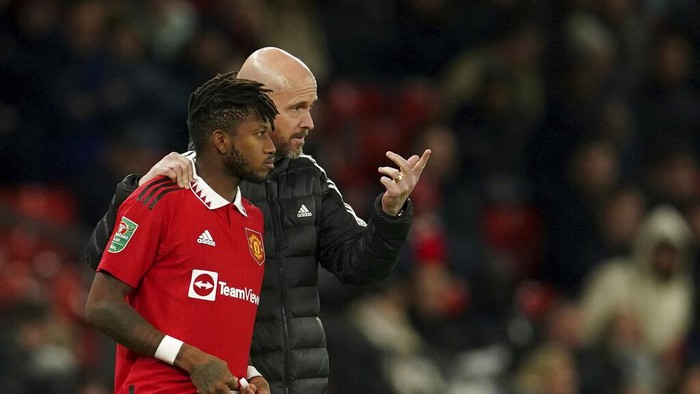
x=557, y=227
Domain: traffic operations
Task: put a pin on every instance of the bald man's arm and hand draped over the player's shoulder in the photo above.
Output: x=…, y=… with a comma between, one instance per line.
x=175, y=166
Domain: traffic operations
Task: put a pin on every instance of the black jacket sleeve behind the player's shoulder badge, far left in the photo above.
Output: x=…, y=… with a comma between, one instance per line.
x=100, y=236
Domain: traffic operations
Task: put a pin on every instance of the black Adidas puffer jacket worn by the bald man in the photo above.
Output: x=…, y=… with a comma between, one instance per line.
x=306, y=223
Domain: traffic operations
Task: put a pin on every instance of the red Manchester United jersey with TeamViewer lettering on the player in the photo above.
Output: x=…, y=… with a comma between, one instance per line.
x=195, y=262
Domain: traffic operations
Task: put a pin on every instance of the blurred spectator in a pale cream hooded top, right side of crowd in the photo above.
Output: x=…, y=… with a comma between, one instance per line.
x=651, y=289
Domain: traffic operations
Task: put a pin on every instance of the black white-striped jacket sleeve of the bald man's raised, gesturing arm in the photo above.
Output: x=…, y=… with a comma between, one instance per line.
x=355, y=252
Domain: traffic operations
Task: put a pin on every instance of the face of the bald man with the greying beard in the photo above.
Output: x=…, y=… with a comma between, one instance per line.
x=294, y=121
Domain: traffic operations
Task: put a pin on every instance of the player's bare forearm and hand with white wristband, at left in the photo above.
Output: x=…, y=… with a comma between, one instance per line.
x=107, y=310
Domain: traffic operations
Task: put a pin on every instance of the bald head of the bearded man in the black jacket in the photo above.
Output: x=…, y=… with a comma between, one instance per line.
x=294, y=92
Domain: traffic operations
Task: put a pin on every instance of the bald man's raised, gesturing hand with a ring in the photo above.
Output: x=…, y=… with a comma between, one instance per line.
x=399, y=183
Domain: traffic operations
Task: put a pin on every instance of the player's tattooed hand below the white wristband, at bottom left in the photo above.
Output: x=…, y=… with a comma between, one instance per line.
x=209, y=374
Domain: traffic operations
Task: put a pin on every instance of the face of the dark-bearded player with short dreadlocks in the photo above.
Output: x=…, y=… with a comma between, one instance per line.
x=252, y=156
